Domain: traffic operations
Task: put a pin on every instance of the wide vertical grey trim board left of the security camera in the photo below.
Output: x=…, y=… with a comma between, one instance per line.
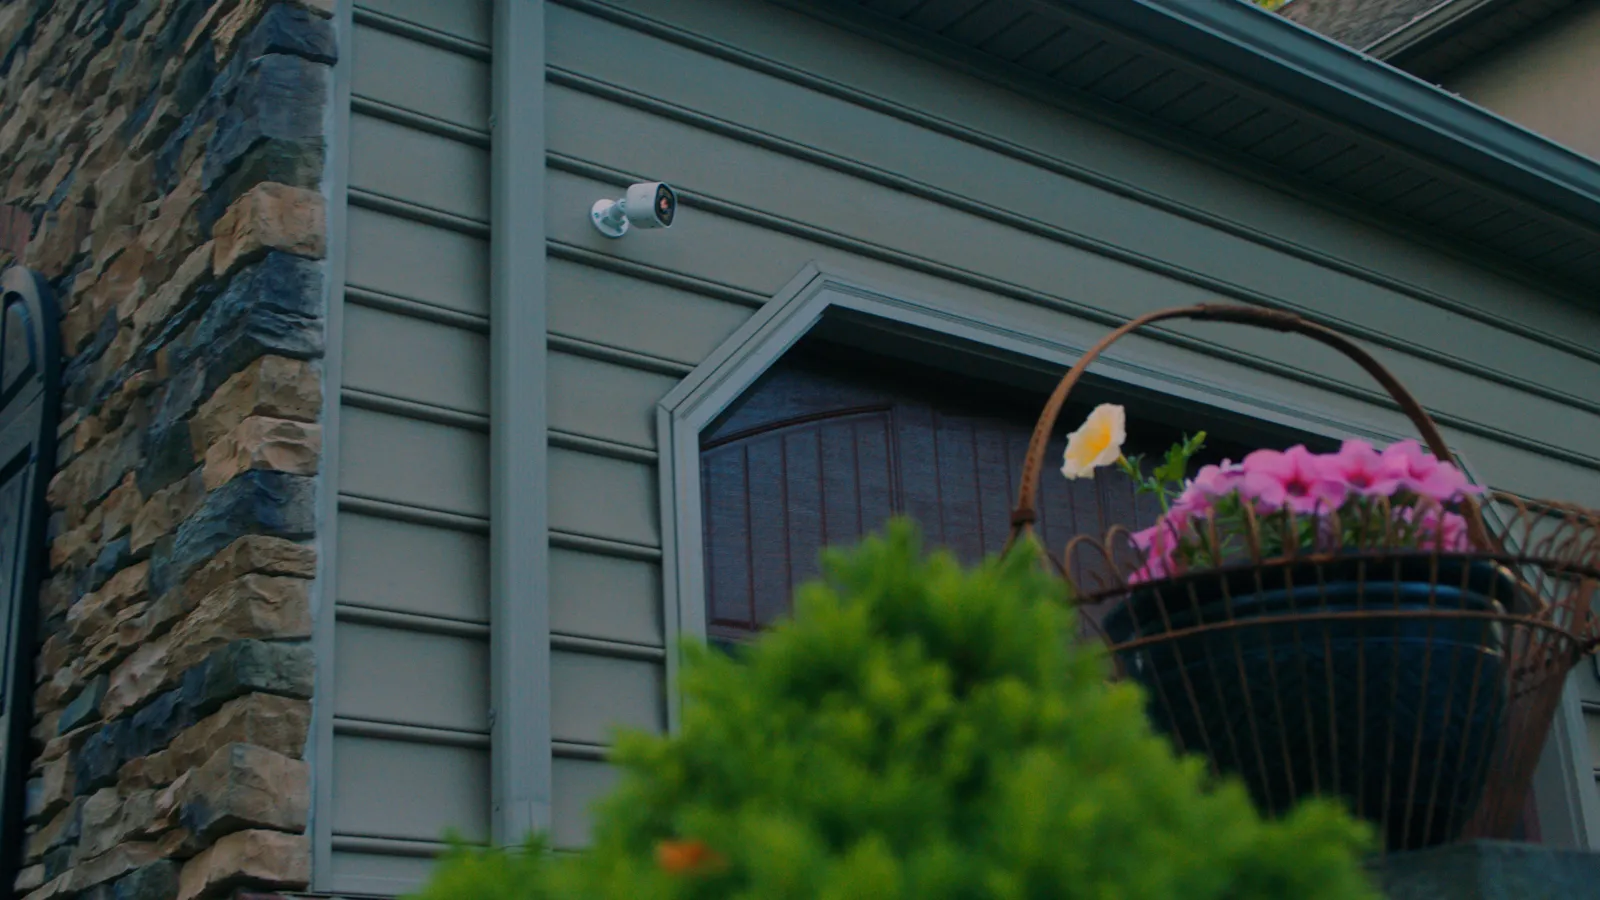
x=519, y=531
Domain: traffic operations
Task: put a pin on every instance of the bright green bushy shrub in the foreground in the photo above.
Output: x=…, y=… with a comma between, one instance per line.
x=927, y=733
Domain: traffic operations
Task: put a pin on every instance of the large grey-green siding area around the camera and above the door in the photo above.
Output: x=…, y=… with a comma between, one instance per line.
x=794, y=142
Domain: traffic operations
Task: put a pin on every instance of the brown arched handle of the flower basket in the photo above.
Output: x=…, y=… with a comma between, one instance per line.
x=1025, y=515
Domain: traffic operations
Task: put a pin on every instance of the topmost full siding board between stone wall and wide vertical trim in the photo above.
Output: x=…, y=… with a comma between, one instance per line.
x=436, y=82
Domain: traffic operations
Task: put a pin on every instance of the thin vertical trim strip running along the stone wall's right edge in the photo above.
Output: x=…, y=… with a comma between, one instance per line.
x=326, y=592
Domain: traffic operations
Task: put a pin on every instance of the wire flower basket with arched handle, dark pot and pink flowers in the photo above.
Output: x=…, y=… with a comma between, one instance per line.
x=1361, y=624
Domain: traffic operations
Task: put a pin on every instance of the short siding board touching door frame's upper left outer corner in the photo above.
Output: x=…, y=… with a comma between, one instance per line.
x=607, y=401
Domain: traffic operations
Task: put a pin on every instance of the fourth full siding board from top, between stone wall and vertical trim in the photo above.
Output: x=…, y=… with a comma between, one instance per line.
x=412, y=360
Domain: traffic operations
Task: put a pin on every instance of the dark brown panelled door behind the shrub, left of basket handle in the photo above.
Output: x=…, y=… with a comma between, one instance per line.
x=825, y=451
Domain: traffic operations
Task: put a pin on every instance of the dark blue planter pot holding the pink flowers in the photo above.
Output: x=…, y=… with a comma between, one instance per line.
x=1372, y=691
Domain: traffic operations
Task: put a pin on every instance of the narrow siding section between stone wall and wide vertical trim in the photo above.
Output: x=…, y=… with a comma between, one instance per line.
x=410, y=665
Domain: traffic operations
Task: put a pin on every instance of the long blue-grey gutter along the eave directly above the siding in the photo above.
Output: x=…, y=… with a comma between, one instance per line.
x=1306, y=70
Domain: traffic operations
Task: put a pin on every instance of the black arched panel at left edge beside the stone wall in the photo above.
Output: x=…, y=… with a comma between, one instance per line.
x=30, y=361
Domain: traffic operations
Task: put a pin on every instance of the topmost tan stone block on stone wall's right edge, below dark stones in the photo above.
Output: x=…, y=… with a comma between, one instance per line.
x=271, y=217
